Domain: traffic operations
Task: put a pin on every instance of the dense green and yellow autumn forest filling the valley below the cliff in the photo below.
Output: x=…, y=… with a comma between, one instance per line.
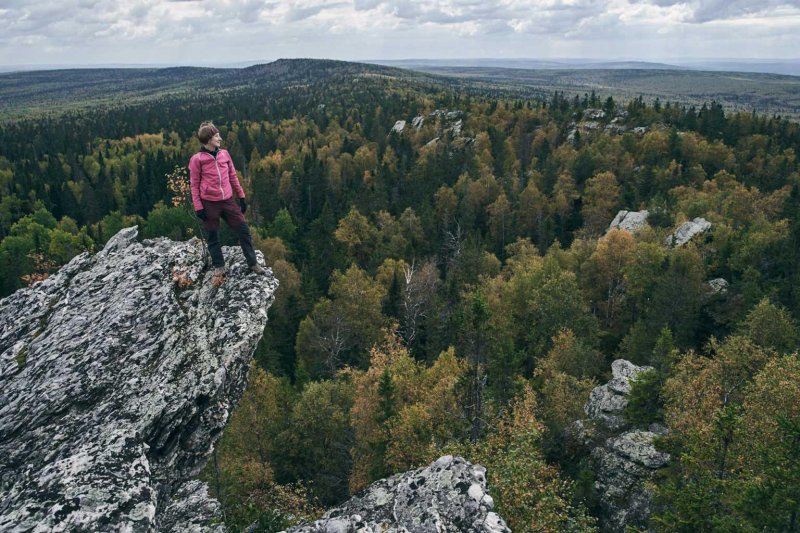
x=451, y=285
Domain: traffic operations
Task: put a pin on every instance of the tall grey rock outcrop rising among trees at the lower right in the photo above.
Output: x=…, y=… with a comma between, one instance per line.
x=625, y=458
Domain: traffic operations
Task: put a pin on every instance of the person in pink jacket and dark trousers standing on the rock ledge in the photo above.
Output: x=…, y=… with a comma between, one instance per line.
x=213, y=181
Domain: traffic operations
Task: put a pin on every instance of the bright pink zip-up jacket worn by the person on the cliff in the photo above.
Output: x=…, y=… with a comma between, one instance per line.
x=212, y=179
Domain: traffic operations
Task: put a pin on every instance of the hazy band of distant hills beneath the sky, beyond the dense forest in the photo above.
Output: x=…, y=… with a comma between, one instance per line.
x=33, y=93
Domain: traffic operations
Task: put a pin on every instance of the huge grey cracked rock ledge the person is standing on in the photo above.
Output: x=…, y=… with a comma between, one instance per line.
x=117, y=374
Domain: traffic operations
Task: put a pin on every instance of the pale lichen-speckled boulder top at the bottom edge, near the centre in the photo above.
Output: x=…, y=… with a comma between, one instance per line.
x=447, y=496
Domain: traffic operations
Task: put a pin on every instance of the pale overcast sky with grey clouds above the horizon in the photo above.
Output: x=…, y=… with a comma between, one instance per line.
x=195, y=32
